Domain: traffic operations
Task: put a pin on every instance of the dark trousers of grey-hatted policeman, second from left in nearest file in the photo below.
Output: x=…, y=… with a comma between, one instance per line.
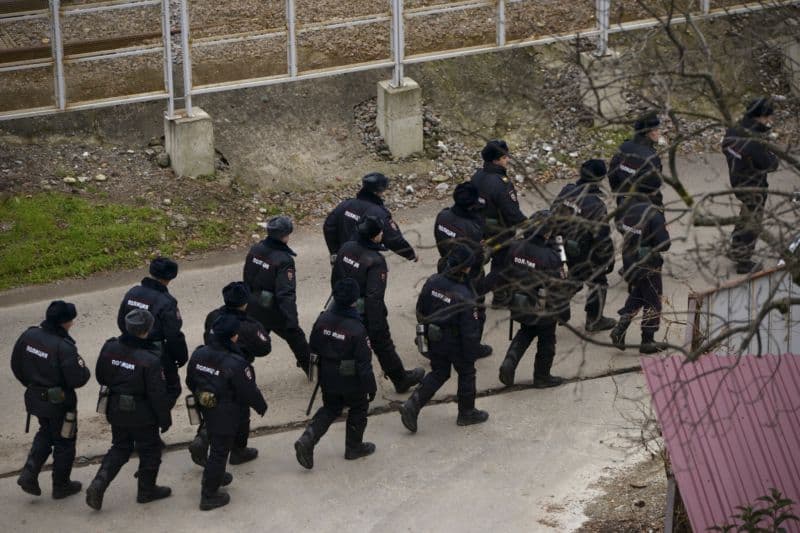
x=147, y=443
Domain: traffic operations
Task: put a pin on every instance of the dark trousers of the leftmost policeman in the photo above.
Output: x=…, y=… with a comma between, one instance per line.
x=48, y=439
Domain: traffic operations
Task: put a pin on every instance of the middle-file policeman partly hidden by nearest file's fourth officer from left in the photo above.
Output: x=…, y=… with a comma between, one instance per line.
x=361, y=259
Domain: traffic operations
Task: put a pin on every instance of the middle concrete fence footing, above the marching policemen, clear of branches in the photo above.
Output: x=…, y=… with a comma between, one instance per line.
x=400, y=116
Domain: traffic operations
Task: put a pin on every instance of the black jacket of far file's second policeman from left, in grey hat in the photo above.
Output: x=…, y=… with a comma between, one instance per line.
x=269, y=266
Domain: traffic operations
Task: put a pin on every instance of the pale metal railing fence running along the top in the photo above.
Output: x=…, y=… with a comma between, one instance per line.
x=396, y=57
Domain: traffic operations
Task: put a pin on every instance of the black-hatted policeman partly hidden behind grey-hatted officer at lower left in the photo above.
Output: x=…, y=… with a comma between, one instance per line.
x=153, y=295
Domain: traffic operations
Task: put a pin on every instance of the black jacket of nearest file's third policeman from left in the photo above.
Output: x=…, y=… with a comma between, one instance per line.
x=222, y=370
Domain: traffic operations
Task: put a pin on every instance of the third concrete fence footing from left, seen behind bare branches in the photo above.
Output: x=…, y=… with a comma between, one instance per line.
x=602, y=84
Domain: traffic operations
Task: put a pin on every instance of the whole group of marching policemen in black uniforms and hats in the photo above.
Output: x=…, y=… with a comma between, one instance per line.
x=537, y=264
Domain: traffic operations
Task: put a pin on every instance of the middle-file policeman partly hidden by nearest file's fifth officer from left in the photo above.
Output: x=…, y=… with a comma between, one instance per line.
x=463, y=224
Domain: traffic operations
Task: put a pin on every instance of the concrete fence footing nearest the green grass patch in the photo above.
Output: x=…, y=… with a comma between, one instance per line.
x=189, y=141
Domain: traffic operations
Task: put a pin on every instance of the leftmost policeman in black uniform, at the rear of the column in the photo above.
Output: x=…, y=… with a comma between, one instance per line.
x=46, y=361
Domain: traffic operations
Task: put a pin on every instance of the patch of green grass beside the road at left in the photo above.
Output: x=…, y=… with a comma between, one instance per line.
x=52, y=236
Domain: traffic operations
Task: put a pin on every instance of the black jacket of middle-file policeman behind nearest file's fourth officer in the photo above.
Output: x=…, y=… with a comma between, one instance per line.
x=362, y=260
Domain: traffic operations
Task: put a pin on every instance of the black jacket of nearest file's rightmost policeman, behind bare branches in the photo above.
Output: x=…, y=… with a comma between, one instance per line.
x=645, y=236
